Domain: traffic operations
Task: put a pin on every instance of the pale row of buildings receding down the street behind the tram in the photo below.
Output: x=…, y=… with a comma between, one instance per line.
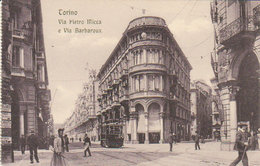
x=84, y=118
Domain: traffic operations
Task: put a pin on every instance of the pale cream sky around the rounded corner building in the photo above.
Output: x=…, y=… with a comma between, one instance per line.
x=69, y=55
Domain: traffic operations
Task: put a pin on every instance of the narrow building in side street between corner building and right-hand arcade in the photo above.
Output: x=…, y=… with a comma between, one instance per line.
x=201, y=110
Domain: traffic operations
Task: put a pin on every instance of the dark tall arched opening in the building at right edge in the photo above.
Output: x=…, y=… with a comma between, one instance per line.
x=248, y=95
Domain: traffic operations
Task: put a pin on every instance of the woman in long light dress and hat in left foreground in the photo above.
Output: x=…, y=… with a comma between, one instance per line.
x=58, y=158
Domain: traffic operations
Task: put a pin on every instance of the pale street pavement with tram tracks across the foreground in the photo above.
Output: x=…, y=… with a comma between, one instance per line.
x=143, y=154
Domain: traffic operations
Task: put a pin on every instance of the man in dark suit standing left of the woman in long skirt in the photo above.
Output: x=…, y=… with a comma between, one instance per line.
x=33, y=144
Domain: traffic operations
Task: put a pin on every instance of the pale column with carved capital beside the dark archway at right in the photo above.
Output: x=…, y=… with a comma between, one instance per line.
x=233, y=113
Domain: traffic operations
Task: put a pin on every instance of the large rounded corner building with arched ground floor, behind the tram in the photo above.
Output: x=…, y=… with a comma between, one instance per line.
x=145, y=85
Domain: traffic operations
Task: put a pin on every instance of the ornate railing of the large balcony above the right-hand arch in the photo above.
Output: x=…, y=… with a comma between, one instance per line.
x=235, y=27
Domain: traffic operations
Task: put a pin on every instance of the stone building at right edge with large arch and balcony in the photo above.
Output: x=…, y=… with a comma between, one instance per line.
x=235, y=61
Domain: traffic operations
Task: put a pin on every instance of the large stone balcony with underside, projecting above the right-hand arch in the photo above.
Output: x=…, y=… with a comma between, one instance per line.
x=233, y=32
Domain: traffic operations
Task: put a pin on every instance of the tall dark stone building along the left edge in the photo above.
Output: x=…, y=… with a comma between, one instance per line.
x=28, y=78
